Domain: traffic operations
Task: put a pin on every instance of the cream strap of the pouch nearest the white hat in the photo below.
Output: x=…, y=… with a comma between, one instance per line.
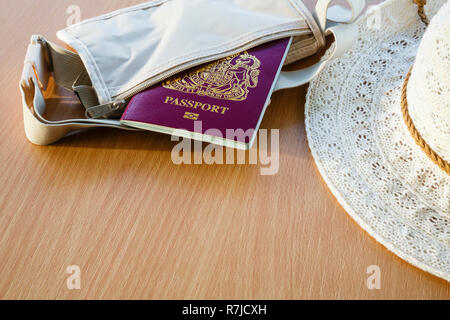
x=345, y=34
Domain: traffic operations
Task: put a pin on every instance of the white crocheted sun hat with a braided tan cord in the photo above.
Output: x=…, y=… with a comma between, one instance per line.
x=378, y=125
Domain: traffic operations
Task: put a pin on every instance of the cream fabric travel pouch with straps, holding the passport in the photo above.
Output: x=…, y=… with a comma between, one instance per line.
x=122, y=53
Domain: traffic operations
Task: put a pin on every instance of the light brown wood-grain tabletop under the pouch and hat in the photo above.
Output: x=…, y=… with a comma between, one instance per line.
x=141, y=227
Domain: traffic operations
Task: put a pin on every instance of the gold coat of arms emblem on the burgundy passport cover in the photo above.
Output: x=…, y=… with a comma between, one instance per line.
x=230, y=78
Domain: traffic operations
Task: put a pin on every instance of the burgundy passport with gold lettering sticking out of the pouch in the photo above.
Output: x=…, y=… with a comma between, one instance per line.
x=222, y=102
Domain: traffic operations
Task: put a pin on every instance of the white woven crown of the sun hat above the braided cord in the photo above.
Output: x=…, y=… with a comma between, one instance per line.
x=428, y=91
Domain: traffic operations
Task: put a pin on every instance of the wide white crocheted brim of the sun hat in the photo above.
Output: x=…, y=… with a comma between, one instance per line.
x=365, y=152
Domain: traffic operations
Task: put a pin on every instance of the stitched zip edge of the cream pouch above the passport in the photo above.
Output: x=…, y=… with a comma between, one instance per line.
x=286, y=27
